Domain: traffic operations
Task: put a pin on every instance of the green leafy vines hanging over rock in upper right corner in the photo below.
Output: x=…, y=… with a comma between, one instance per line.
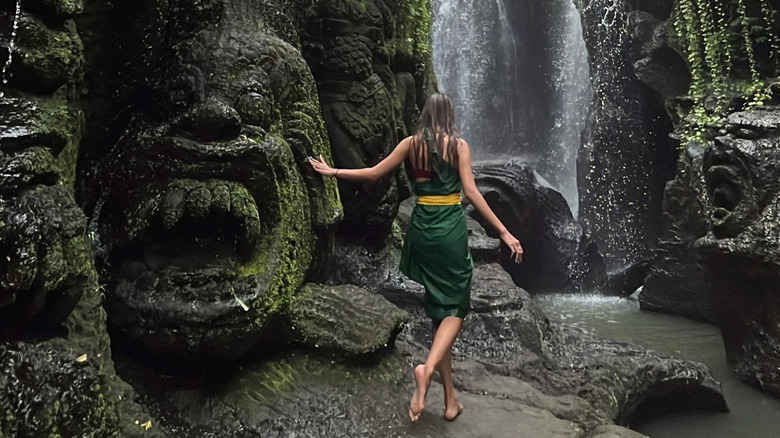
x=718, y=40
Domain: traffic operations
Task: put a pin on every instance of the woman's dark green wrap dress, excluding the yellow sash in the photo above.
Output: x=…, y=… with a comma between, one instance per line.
x=436, y=250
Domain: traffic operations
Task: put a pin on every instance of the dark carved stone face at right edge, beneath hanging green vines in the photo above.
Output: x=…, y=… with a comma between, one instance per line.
x=742, y=255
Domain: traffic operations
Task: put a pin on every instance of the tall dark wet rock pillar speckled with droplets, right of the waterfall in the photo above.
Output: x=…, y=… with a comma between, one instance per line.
x=626, y=156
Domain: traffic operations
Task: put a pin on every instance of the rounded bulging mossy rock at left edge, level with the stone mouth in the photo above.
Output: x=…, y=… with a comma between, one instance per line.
x=47, y=264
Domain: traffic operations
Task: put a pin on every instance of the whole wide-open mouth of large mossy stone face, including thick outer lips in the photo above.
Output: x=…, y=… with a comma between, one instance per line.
x=190, y=228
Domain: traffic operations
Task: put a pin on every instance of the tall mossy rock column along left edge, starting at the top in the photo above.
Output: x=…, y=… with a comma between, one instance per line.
x=46, y=260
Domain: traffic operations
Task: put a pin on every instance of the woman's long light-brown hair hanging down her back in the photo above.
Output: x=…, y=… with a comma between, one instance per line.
x=438, y=118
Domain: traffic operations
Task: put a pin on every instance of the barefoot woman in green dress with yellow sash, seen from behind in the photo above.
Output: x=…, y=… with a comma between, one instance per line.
x=435, y=251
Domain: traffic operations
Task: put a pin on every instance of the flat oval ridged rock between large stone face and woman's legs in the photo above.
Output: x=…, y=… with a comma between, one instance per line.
x=344, y=319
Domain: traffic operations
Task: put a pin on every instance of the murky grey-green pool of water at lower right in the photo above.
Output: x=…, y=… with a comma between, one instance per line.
x=753, y=414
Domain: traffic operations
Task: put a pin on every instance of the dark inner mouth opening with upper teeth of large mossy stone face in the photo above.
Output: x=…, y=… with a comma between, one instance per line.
x=189, y=234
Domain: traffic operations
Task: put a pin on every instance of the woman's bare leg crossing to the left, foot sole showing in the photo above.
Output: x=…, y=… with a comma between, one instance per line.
x=441, y=349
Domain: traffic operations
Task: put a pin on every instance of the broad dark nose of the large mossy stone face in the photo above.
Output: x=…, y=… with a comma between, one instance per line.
x=212, y=120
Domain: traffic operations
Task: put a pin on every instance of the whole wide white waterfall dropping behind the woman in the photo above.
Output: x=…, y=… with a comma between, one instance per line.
x=518, y=75
